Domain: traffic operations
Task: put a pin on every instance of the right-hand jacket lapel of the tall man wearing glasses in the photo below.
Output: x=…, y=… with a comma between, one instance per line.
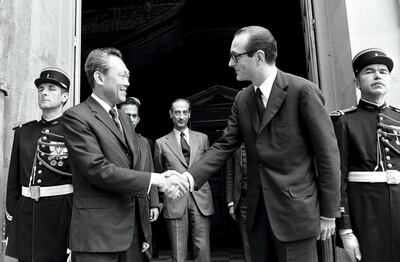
x=275, y=100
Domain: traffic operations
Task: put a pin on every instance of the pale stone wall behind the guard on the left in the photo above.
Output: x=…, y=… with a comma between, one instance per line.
x=33, y=35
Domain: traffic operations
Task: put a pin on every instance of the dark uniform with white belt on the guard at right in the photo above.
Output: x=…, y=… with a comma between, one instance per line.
x=369, y=142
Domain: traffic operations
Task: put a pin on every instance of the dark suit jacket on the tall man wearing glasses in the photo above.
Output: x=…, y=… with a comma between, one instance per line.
x=281, y=149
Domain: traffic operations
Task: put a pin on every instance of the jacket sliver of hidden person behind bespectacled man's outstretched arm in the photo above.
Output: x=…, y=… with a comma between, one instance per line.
x=234, y=174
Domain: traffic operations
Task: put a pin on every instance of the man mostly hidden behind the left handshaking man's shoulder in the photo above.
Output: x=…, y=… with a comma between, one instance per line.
x=131, y=108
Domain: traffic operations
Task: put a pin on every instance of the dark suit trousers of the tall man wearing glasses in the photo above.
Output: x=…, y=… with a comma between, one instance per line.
x=265, y=247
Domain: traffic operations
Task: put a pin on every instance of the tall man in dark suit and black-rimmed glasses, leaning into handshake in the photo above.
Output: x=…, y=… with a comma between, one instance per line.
x=293, y=173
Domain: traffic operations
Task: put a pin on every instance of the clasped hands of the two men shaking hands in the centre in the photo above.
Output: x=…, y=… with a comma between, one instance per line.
x=172, y=183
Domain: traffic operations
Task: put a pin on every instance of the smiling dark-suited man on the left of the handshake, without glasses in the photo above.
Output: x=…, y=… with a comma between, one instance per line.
x=106, y=167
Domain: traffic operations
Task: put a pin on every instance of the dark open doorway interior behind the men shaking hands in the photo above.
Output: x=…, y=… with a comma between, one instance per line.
x=180, y=48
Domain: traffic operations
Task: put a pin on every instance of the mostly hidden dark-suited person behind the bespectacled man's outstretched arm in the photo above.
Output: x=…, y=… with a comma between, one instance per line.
x=236, y=194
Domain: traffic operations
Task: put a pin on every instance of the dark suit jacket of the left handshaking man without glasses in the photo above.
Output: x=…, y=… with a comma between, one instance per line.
x=105, y=181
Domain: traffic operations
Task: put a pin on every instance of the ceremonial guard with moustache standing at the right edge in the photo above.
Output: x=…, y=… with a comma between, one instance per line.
x=369, y=141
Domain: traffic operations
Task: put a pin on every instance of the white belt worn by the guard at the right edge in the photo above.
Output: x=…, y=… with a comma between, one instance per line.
x=389, y=176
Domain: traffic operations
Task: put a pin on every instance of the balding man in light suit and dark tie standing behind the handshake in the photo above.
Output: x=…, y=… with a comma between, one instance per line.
x=178, y=150
